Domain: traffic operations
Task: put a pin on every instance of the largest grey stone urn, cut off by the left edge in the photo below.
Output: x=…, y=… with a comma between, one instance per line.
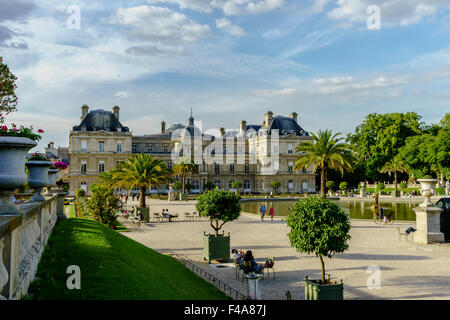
x=13, y=151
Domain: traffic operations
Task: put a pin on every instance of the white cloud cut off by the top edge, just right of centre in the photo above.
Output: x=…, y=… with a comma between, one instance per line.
x=239, y=7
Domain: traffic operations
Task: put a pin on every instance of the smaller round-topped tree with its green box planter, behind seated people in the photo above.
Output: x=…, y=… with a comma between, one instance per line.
x=220, y=206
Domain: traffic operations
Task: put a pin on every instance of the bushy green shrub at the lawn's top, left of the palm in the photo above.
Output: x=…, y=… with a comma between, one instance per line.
x=103, y=205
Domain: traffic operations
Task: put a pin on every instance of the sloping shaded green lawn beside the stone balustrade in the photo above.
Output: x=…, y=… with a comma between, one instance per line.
x=112, y=267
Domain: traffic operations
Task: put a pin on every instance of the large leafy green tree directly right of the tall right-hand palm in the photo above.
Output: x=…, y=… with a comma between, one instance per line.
x=378, y=139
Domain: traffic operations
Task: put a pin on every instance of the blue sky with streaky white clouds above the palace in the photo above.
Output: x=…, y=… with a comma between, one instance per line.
x=228, y=60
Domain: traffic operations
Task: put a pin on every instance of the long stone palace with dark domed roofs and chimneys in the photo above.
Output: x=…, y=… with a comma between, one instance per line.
x=253, y=154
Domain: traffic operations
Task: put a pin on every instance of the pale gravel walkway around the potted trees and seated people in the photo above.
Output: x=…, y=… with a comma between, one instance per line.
x=408, y=271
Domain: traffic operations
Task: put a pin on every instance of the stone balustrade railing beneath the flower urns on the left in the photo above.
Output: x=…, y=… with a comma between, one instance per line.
x=23, y=237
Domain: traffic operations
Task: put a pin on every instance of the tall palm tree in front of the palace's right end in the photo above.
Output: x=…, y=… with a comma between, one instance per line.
x=324, y=152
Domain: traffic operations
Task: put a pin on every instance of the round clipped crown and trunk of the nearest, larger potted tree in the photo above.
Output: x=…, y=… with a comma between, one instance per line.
x=318, y=226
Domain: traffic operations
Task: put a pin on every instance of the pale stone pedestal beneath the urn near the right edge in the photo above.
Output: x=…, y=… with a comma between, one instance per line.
x=428, y=224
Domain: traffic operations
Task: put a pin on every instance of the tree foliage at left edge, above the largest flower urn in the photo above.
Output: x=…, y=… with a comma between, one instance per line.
x=8, y=99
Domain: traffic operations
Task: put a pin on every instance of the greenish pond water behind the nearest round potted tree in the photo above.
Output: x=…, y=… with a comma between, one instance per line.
x=358, y=209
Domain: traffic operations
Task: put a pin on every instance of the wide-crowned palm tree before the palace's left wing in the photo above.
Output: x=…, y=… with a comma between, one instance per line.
x=141, y=171
